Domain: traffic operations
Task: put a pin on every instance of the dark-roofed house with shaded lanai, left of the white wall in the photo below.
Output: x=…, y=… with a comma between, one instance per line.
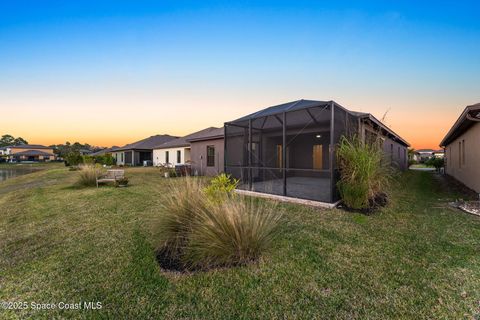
x=134, y=154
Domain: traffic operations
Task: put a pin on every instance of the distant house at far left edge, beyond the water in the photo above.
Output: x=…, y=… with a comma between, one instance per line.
x=29, y=152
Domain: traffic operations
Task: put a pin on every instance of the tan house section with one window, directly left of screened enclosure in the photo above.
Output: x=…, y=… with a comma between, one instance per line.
x=206, y=152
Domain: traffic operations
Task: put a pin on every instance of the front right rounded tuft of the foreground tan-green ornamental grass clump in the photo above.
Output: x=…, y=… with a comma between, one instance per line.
x=234, y=232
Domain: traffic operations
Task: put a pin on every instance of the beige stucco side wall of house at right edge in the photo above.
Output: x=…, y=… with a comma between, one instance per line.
x=469, y=172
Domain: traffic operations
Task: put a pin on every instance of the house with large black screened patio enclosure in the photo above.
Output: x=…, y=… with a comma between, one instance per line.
x=289, y=149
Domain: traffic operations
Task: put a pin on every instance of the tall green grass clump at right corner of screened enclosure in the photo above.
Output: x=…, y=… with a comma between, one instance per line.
x=364, y=173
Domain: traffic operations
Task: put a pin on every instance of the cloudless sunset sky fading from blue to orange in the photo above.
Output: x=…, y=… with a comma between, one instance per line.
x=113, y=72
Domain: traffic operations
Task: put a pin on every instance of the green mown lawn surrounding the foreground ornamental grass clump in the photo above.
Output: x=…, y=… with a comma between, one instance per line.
x=416, y=259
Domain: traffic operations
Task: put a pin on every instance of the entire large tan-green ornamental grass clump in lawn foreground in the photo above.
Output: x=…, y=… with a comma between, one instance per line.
x=197, y=233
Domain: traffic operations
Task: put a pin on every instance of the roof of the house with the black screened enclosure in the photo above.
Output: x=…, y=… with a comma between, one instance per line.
x=305, y=104
